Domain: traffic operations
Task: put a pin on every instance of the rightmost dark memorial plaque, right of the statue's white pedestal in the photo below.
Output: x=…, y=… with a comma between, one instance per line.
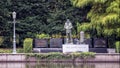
x=100, y=42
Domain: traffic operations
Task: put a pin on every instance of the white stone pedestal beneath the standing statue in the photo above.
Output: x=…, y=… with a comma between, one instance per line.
x=75, y=48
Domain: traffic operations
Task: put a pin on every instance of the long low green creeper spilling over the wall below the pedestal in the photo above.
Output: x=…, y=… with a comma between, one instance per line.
x=58, y=55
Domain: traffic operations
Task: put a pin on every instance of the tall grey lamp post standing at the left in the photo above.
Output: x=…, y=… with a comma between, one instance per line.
x=14, y=37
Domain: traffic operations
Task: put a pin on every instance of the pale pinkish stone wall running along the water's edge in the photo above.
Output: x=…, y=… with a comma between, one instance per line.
x=99, y=57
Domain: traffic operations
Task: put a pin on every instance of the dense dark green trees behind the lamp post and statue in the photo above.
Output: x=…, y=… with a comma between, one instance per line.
x=37, y=16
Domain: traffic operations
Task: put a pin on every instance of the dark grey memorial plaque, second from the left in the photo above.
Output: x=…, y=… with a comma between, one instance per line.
x=56, y=43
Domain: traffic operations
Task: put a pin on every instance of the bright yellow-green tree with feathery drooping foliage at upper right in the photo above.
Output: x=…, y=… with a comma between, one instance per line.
x=104, y=16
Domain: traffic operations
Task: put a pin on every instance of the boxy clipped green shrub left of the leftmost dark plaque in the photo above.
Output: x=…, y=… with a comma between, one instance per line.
x=27, y=46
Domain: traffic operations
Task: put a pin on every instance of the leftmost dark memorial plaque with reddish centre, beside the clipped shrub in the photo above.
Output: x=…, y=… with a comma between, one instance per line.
x=40, y=43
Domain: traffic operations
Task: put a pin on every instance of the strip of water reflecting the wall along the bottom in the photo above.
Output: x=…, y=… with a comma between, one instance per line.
x=59, y=65
